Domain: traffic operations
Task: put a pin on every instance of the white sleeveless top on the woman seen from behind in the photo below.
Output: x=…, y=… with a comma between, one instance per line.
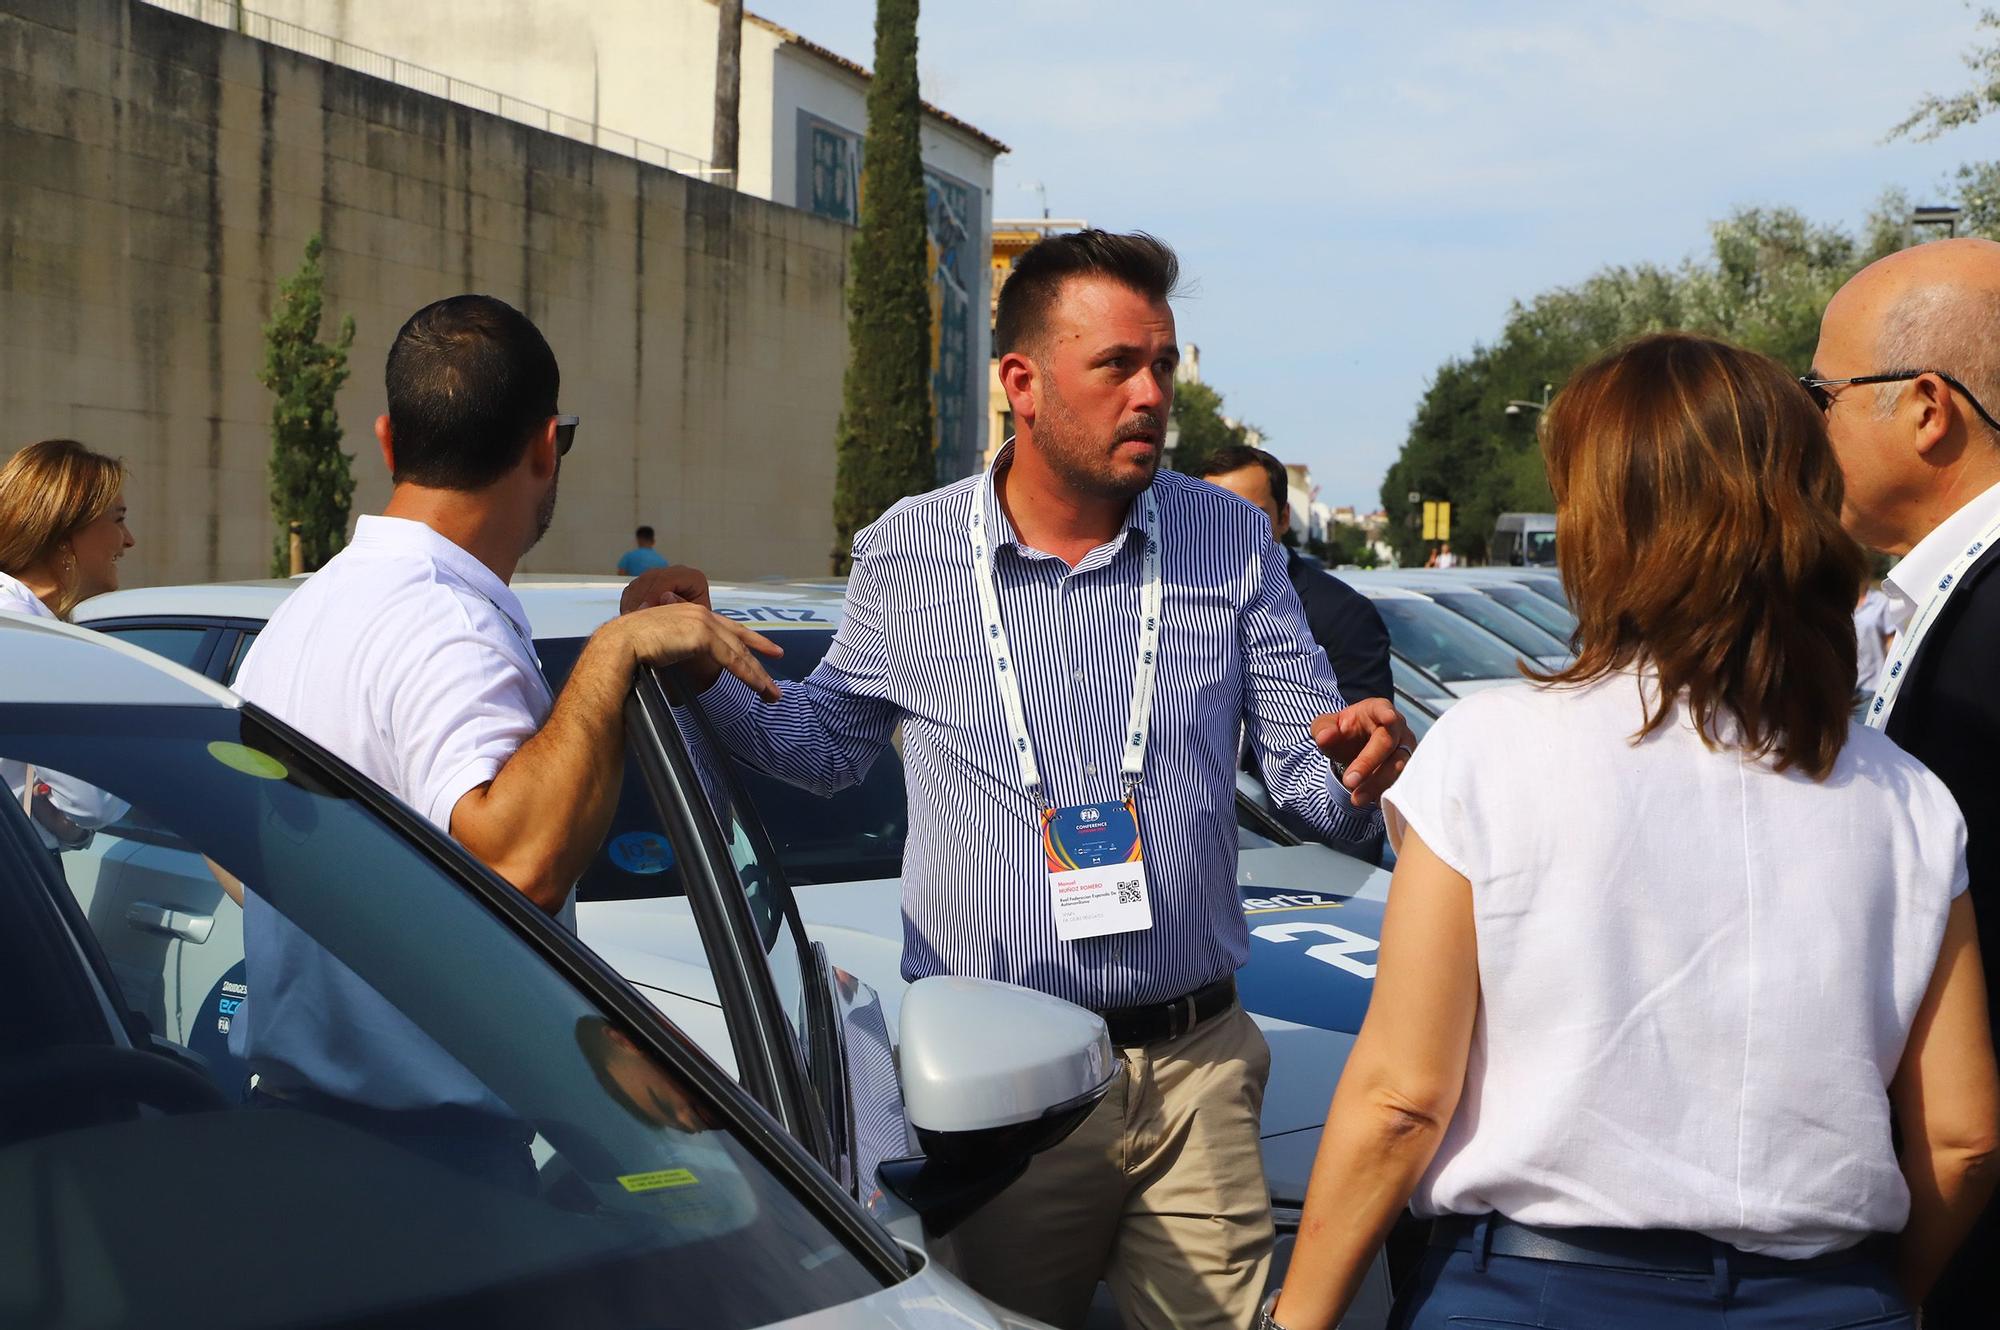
x=1697, y=975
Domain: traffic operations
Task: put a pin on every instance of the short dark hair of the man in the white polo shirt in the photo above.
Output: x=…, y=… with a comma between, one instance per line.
x=471, y=383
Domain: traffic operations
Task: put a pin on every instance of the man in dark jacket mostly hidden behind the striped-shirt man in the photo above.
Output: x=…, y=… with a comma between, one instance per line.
x=1341, y=619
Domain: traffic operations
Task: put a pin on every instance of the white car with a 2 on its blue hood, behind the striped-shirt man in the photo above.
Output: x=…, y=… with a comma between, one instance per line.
x=1315, y=915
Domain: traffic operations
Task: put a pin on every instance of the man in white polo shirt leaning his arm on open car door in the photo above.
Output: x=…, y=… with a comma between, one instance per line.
x=411, y=659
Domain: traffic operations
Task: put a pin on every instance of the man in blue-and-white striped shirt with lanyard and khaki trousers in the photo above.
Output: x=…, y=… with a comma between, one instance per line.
x=1009, y=625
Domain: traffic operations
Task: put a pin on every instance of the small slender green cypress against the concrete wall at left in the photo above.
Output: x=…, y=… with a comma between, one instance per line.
x=311, y=479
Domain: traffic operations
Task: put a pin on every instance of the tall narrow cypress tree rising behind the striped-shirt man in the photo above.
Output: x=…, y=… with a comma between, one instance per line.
x=885, y=441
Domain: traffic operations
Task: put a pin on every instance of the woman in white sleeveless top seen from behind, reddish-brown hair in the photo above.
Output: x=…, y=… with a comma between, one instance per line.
x=1671, y=939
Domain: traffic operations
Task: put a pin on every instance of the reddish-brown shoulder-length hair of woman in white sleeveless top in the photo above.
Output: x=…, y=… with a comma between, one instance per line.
x=1699, y=537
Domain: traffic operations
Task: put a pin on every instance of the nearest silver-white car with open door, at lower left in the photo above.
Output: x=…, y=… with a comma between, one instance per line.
x=627, y=1179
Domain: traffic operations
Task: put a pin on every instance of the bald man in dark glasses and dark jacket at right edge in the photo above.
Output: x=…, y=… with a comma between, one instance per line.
x=1907, y=373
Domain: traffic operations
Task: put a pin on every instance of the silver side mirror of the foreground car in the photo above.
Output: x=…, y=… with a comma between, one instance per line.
x=991, y=1077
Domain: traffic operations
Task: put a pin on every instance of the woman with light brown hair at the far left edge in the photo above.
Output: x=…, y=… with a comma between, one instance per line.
x=63, y=527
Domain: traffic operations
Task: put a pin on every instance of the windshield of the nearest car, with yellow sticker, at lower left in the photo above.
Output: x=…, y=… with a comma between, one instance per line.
x=413, y=1111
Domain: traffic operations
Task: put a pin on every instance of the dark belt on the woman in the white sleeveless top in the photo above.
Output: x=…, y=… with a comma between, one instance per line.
x=1665, y=1251
